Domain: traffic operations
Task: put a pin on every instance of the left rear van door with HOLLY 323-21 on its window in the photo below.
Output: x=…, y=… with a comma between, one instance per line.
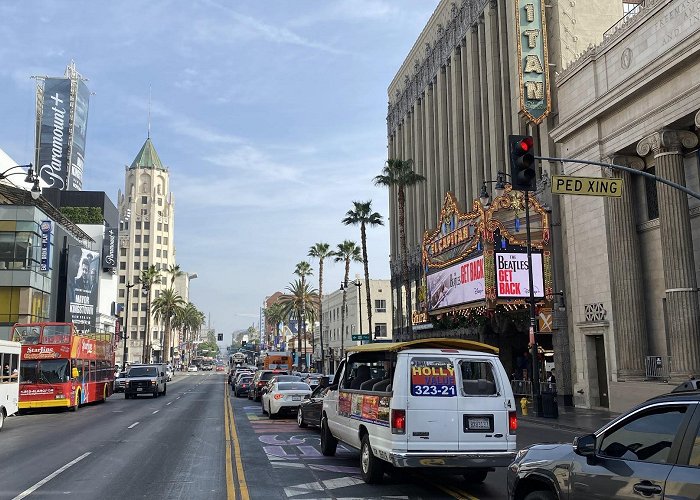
x=432, y=416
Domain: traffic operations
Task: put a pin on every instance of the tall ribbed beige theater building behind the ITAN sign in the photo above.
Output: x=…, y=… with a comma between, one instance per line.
x=452, y=105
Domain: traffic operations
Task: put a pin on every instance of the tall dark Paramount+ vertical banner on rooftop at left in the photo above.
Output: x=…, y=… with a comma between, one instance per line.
x=54, y=132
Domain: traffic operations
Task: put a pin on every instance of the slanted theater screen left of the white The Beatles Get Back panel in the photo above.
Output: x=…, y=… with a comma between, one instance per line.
x=457, y=284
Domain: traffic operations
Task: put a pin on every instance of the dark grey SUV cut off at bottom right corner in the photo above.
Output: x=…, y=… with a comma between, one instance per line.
x=652, y=451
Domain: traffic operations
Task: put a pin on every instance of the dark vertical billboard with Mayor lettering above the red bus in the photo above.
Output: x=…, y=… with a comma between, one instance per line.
x=82, y=287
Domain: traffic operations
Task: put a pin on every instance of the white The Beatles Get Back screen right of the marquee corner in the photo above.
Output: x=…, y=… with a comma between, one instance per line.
x=512, y=277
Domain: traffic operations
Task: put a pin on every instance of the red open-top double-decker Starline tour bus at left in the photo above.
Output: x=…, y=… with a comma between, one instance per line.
x=61, y=367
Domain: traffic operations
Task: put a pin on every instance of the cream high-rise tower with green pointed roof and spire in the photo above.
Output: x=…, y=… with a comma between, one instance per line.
x=146, y=211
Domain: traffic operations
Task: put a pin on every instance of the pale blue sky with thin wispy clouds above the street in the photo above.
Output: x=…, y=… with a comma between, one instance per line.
x=270, y=116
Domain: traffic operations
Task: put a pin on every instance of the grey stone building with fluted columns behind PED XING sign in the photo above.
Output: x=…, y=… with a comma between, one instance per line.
x=633, y=262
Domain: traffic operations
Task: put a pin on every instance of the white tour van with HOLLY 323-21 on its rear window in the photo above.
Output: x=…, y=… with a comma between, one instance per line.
x=430, y=403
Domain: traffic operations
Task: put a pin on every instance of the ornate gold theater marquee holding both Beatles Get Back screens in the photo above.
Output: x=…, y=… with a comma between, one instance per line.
x=475, y=263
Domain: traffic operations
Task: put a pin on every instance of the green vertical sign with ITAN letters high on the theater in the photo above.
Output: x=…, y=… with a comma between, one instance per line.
x=533, y=69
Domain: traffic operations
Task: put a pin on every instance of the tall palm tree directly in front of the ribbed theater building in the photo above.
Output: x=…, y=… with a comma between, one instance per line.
x=399, y=174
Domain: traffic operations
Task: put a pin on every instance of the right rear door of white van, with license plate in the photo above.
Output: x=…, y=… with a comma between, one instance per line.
x=483, y=404
